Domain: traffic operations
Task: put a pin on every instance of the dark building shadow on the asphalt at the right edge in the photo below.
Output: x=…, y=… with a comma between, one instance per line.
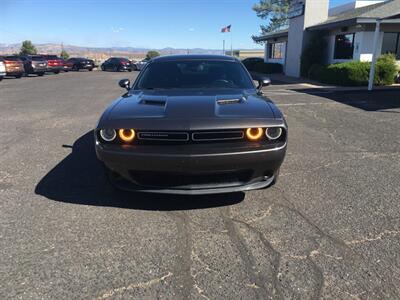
x=377, y=100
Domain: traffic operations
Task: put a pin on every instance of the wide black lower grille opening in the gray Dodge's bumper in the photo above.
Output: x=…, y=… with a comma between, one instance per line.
x=187, y=180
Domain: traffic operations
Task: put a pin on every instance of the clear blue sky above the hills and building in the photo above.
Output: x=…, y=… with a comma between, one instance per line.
x=132, y=23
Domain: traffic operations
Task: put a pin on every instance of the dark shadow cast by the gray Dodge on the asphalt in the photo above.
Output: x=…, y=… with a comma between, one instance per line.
x=80, y=179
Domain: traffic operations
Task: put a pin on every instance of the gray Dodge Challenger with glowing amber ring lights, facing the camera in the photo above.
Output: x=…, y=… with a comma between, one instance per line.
x=192, y=124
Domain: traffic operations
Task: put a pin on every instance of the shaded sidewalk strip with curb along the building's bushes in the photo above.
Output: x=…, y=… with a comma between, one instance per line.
x=305, y=83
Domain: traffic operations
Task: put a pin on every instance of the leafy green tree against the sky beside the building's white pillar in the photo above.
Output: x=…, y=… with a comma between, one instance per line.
x=275, y=11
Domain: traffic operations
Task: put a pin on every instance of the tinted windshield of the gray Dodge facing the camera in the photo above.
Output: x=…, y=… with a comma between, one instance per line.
x=194, y=74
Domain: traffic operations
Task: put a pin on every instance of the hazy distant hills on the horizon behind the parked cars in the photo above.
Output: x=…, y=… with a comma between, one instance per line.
x=103, y=52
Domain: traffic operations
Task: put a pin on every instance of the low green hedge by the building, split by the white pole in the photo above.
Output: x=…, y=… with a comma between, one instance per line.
x=356, y=73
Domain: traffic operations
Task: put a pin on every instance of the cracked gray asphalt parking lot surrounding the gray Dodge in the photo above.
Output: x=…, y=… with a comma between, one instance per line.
x=330, y=228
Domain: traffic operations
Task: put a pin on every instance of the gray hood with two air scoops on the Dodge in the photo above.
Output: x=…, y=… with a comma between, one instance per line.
x=188, y=109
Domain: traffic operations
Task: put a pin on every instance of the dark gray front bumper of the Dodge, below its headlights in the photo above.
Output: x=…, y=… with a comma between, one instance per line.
x=191, y=169
